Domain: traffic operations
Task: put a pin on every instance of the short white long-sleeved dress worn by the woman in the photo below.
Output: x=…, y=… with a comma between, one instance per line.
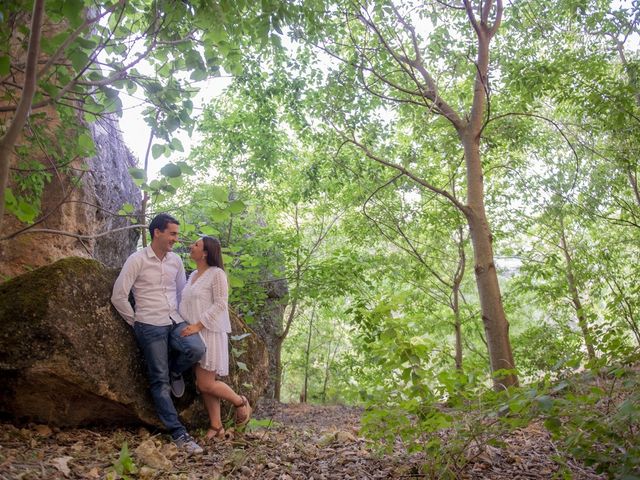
x=205, y=300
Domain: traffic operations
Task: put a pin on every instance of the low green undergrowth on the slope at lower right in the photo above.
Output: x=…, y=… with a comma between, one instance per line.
x=592, y=416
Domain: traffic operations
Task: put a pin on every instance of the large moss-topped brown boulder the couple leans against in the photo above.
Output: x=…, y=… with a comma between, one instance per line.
x=68, y=359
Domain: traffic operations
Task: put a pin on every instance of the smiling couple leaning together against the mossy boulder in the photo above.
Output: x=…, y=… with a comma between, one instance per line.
x=178, y=323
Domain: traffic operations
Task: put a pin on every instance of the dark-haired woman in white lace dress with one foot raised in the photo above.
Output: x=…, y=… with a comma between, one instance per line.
x=204, y=307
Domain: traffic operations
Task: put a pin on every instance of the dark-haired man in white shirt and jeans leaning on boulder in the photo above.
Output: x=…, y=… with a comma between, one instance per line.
x=155, y=275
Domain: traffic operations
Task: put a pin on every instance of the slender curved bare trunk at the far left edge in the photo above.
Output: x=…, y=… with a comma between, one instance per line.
x=9, y=139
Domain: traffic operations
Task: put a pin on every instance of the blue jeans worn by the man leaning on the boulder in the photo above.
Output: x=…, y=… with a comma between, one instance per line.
x=164, y=351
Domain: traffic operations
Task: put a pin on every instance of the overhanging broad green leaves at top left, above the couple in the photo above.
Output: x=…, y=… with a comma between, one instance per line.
x=141, y=48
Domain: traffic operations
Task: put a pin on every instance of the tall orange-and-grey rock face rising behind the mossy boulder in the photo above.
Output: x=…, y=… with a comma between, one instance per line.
x=76, y=195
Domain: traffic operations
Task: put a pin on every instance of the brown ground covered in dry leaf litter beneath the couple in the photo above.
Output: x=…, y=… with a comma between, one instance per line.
x=294, y=441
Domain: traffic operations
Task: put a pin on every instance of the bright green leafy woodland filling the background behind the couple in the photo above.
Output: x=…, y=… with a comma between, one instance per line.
x=449, y=189
